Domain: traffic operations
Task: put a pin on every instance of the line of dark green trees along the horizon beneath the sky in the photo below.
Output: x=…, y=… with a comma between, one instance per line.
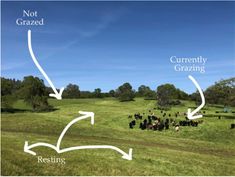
x=34, y=92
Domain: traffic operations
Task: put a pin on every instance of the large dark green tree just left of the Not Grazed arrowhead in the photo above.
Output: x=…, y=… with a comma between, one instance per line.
x=34, y=93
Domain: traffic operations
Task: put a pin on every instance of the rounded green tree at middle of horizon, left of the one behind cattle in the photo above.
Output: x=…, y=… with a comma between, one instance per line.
x=125, y=92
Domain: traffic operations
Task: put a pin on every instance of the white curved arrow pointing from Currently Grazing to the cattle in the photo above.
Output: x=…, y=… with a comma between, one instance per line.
x=190, y=114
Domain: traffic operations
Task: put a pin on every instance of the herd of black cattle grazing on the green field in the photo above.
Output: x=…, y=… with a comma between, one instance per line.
x=153, y=122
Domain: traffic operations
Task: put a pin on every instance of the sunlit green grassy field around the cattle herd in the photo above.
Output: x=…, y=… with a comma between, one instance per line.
x=208, y=149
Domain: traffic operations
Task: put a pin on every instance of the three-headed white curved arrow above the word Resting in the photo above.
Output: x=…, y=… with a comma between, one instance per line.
x=27, y=147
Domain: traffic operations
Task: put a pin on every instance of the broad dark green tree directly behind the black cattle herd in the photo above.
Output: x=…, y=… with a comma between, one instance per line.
x=165, y=93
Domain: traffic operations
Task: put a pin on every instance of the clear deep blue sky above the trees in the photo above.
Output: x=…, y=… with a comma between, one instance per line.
x=104, y=44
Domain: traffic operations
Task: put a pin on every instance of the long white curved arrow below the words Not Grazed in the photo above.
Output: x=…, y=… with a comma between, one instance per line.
x=56, y=94
